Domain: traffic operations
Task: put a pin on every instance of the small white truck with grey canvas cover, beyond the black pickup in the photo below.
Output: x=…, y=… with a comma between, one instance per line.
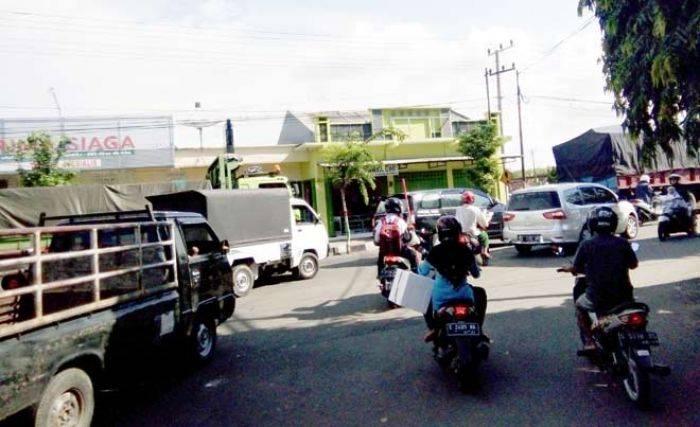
x=268, y=231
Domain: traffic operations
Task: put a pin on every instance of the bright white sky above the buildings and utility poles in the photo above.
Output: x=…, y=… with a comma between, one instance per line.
x=253, y=60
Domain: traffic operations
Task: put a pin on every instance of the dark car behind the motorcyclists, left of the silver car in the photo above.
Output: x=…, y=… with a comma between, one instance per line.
x=429, y=205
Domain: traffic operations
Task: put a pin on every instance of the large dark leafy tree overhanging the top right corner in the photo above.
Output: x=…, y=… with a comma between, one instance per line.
x=651, y=52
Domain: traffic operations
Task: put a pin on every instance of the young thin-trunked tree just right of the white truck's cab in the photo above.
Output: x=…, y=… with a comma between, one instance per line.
x=351, y=162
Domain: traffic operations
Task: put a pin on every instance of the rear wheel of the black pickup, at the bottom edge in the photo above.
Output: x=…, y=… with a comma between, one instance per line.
x=68, y=400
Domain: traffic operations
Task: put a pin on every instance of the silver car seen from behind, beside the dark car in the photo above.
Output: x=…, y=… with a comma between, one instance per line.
x=557, y=214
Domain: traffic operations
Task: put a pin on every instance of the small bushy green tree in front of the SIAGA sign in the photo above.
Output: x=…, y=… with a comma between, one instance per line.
x=45, y=156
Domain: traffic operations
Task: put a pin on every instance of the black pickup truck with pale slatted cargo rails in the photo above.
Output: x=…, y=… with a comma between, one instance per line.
x=86, y=297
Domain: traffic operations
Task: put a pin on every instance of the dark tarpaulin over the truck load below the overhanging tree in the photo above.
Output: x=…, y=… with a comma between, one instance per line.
x=599, y=154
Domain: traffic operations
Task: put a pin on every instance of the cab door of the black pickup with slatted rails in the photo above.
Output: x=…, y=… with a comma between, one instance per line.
x=210, y=272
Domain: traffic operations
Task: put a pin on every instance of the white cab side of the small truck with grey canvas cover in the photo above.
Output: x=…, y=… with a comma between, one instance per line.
x=309, y=232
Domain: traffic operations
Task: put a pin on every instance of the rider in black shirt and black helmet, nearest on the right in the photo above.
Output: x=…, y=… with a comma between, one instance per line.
x=605, y=259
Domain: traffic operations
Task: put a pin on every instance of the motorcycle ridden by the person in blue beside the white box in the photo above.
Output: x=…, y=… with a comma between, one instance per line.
x=460, y=345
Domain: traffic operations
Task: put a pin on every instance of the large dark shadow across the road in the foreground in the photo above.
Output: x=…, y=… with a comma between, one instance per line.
x=348, y=371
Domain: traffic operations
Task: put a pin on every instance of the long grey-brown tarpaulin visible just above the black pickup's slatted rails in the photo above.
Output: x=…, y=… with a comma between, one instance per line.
x=21, y=207
